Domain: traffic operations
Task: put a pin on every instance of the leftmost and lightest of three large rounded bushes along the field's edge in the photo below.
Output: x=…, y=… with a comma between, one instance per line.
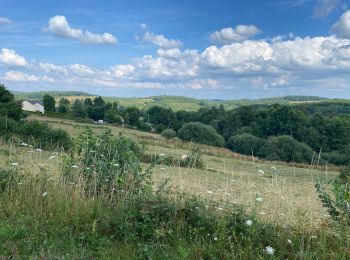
x=200, y=133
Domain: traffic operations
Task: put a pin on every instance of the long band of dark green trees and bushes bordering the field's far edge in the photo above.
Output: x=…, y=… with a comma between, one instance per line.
x=274, y=132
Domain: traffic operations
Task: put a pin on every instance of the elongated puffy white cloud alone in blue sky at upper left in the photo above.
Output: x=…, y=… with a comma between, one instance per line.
x=60, y=27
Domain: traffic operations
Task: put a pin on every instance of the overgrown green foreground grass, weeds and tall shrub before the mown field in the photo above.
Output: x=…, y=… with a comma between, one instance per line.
x=101, y=203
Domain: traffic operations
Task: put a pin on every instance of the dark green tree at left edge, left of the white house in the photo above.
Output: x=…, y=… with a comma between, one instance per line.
x=8, y=106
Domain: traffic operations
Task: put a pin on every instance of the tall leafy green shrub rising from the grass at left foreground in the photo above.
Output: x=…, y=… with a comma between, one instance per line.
x=108, y=164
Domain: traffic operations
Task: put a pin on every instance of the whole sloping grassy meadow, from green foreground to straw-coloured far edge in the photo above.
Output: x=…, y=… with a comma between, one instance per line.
x=231, y=206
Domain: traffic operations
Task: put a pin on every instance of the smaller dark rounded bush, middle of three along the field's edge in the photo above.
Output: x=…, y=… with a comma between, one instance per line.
x=245, y=144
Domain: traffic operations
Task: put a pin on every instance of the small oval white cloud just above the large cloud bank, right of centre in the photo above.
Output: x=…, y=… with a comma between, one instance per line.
x=239, y=34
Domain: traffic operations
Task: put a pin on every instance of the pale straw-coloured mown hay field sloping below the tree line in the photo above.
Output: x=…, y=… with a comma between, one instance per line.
x=287, y=191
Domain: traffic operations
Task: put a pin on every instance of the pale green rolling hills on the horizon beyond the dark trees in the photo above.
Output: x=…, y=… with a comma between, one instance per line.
x=188, y=103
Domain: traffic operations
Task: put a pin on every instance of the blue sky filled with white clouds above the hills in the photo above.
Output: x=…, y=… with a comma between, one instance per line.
x=223, y=49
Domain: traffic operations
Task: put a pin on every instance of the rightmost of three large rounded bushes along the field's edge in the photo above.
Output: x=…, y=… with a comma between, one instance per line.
x=286, y=148
